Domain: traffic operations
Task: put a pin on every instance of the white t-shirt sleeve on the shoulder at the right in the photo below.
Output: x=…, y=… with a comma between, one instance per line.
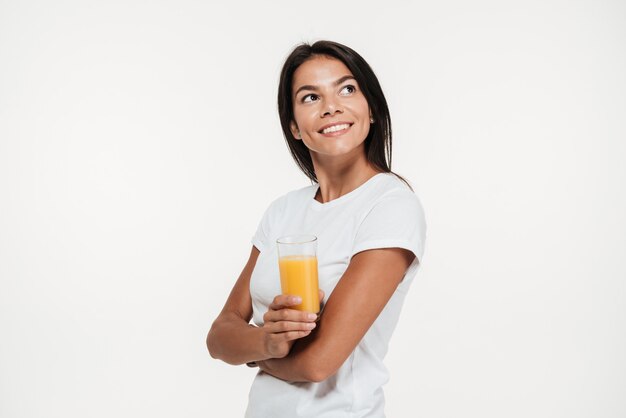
x=396, y=221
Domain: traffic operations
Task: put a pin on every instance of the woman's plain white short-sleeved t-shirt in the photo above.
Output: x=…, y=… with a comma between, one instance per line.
x=381, y=213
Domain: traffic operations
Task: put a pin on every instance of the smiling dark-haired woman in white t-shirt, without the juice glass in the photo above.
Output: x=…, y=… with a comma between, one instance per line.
x=370, y=228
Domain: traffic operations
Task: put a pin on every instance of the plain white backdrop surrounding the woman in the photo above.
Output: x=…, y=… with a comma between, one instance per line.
x=140, y=144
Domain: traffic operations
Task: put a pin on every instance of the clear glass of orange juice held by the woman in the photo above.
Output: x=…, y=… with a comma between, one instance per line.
x=297, y=261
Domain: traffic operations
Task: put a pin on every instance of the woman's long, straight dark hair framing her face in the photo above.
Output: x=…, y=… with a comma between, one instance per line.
x=378, y=141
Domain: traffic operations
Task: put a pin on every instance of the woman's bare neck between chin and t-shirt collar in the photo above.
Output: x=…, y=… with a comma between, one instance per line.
x=339, y=176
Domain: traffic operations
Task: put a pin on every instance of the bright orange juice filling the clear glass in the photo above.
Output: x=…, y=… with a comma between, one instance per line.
x=298, y=277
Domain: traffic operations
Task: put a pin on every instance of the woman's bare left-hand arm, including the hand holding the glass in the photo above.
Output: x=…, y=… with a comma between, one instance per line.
x=233, y=340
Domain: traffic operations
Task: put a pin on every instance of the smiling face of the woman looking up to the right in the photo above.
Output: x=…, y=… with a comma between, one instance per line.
x=331, y=114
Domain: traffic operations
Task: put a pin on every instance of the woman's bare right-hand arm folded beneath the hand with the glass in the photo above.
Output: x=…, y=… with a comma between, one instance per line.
x=355, y=303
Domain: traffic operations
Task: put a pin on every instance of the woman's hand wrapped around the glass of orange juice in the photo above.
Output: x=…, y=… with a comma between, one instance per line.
x=283, y=326
